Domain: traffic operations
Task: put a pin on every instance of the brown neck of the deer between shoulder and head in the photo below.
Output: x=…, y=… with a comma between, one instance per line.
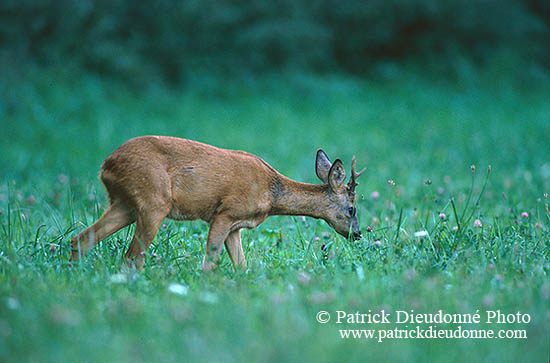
x=290, y=197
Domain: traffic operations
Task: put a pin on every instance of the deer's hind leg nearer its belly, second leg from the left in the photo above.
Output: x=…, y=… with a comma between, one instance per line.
x=147, y=226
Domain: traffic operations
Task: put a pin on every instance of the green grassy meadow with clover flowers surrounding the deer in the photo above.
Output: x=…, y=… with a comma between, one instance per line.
x=423, y=134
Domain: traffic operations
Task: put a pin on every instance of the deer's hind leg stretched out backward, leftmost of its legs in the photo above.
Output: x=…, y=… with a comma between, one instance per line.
x=115, y=217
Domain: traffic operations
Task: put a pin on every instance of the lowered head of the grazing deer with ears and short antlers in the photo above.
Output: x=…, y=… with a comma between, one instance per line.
x=340, y=212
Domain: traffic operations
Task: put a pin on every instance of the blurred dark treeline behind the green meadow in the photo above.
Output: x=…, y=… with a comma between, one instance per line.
x=168, y=38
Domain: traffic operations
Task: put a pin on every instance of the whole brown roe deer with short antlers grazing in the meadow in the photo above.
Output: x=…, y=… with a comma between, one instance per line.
x=150, y=178
